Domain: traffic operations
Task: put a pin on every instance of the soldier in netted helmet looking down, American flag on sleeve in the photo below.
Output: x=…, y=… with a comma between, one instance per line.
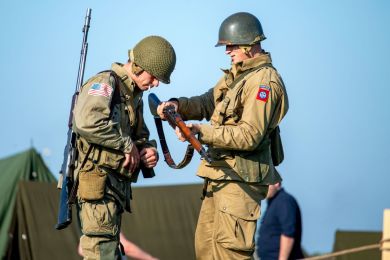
x=113, y=142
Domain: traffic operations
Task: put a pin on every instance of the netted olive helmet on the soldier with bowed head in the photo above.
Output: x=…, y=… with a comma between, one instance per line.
x=155, y=55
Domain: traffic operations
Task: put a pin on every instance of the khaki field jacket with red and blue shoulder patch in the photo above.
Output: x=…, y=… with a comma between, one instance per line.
x=245, y=106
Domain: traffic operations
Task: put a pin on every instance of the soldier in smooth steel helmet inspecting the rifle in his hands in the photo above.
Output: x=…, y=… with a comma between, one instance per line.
x=244, y=109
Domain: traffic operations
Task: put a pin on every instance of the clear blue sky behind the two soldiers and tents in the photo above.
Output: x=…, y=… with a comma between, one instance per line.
x=333, y=56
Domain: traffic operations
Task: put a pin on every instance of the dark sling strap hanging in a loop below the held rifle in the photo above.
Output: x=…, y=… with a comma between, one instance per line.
x=167, y=155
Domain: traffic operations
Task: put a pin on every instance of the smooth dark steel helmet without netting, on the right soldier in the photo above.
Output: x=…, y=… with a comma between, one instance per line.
x=240, y=29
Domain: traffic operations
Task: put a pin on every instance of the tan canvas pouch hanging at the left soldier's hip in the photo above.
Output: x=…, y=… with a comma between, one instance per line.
x=92, y=182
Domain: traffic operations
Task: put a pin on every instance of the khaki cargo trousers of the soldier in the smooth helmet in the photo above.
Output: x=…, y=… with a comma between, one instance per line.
x=227, y=220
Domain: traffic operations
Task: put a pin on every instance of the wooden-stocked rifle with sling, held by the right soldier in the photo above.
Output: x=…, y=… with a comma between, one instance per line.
x=174, y=119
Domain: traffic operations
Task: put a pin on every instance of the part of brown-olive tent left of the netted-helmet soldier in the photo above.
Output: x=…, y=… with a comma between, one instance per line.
x=32, y=229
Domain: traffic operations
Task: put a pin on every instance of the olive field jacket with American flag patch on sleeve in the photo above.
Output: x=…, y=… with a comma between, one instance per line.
x=111, y=122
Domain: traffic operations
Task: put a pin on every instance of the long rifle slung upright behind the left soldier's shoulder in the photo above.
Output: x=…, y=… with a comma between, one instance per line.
x=69, y=186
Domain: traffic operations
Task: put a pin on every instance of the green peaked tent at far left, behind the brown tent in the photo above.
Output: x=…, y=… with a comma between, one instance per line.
x=27, y=165
